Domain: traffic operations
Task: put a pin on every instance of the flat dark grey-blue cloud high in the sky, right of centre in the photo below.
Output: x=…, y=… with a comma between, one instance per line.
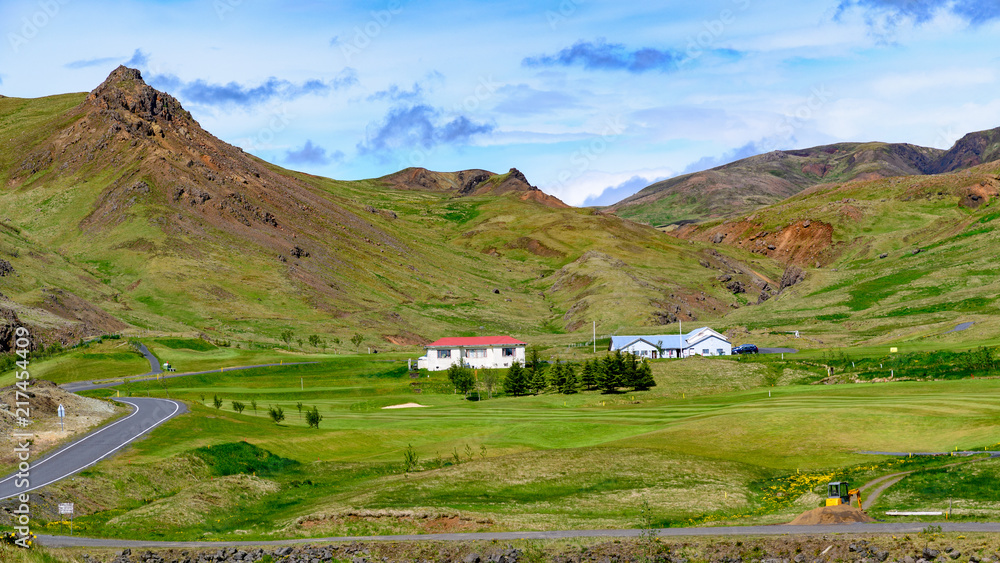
x=601, y=55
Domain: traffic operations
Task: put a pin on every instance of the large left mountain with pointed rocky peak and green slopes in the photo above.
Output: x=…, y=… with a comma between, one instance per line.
x=122, y=212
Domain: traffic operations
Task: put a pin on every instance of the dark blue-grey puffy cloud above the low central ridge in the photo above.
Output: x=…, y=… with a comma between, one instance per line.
x=420, y=126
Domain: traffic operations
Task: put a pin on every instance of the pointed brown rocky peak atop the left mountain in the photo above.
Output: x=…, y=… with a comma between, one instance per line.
x=125, y=90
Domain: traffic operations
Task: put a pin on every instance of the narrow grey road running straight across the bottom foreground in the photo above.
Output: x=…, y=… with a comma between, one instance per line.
x=877, y=528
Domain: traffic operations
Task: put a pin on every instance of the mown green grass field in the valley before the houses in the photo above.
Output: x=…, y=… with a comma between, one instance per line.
x=712, y=444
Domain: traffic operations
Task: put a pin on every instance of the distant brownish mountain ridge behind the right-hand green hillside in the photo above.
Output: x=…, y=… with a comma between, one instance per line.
x=765, y=179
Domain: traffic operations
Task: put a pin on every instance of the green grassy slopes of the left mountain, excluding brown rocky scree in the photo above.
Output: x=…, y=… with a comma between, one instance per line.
x=155, y=275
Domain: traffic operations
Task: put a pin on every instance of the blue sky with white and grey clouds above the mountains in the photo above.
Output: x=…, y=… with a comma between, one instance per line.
x=592, y=100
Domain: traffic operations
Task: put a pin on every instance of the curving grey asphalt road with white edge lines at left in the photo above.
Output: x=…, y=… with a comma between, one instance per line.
x=147, y=414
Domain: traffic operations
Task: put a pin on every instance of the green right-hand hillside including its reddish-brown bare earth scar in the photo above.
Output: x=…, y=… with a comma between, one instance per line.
x=899, y=259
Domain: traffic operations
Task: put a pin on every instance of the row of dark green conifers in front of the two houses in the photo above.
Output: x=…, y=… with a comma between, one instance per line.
x=609, y=374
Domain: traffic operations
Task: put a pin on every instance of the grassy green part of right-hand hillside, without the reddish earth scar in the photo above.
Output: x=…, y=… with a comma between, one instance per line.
x=908, y=300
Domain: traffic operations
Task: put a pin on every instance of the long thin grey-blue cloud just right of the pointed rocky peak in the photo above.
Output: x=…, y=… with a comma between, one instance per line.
x=236, y=94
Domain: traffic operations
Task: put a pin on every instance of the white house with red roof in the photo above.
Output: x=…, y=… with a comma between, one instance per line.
x=472, y=351
